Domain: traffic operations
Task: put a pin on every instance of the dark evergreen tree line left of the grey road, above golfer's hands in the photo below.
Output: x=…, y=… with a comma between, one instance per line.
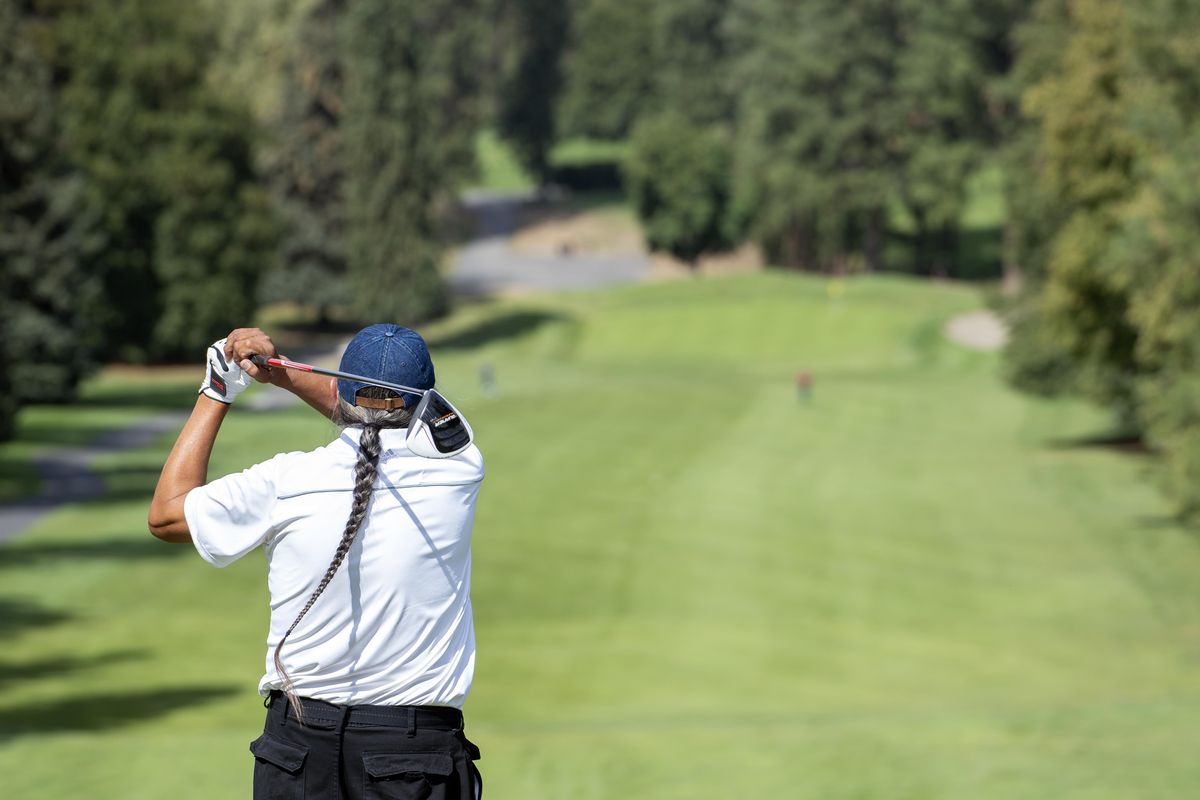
x=146, y=208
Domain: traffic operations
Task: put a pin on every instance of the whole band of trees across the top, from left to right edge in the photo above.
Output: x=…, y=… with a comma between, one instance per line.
x=169, y=166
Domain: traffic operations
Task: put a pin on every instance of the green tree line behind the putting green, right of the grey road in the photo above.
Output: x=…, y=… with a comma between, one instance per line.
x=806, y=127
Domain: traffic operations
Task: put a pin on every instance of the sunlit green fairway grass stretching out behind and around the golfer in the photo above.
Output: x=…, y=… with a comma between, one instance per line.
x=687, y=584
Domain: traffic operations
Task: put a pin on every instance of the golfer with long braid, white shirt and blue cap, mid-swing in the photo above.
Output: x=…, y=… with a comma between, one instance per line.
x=371, y=648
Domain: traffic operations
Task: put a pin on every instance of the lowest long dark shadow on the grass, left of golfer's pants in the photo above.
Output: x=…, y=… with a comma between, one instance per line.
x=104, y=711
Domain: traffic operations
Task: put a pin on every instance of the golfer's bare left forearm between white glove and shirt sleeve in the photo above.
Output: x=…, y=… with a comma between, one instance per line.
x=187, y=468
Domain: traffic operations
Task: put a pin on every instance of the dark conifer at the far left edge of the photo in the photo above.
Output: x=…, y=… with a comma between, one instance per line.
x=49, y=321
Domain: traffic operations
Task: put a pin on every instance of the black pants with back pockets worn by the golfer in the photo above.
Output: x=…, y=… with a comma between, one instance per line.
x=364, y=753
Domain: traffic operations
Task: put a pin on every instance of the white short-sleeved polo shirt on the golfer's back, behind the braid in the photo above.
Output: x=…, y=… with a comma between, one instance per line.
x=394, y=627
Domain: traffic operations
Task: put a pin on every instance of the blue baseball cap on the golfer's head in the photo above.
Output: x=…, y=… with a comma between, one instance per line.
x=389, y=353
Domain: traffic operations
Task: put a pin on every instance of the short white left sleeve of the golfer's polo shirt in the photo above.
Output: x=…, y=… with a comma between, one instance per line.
x=232, y=515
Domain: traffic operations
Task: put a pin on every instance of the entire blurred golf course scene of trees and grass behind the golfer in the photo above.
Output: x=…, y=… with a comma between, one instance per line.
x=837, y=364
